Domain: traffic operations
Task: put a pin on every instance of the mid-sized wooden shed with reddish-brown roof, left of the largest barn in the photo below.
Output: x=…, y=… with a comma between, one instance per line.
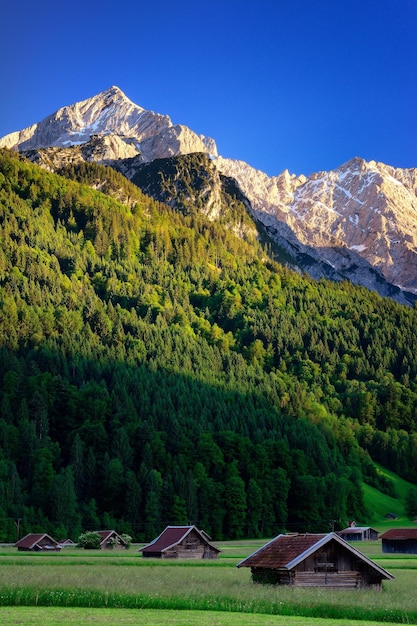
x=182, y=542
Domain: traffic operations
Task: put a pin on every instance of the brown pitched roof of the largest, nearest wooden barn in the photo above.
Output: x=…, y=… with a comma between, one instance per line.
x=286, y=551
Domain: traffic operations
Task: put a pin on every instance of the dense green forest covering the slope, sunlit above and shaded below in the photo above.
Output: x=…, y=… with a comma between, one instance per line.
x=157, y=369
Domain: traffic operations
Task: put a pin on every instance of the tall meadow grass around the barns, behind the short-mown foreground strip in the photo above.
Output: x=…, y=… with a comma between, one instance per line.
x=214, y=586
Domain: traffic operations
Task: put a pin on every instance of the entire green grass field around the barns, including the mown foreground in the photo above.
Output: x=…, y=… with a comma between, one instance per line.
x=118, y=587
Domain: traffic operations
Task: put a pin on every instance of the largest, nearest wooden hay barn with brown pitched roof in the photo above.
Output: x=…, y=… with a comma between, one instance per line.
x=314, y=561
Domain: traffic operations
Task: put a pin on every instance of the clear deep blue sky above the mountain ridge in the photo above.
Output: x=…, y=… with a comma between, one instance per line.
x=304, y=85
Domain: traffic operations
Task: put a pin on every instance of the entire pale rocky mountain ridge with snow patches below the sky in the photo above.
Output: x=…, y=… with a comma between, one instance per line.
x=356, y=222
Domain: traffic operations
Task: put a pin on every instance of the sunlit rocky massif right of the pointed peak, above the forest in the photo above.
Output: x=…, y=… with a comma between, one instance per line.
x=363, y=210
